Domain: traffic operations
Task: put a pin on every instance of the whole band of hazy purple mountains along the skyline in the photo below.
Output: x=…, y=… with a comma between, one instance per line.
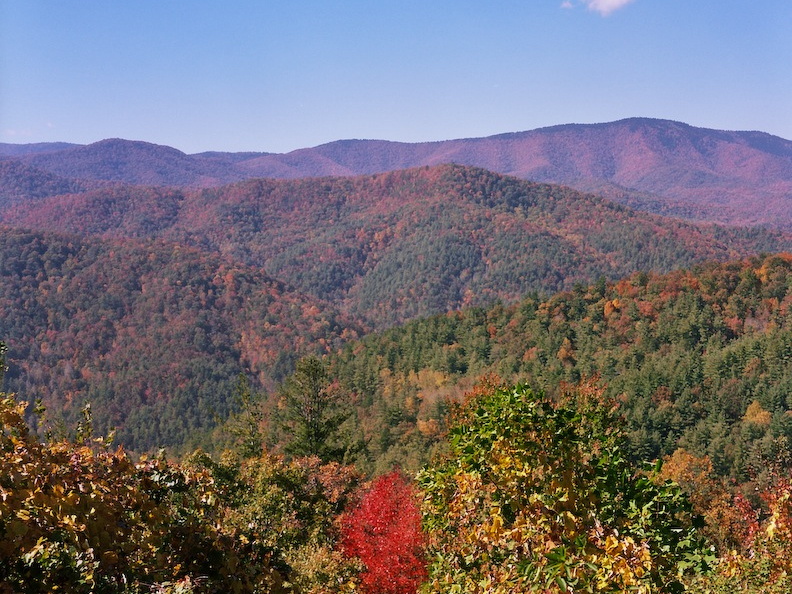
x=672, y=168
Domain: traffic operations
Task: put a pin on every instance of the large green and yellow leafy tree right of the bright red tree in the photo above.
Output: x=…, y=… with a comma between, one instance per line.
x=537, y=496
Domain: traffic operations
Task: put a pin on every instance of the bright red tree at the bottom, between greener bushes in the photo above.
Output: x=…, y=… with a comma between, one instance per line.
x=384, y=532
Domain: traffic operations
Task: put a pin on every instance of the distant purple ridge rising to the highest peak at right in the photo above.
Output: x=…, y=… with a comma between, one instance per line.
x=656, y=165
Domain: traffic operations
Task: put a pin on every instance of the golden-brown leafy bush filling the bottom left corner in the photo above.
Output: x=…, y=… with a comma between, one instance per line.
x=77, y=517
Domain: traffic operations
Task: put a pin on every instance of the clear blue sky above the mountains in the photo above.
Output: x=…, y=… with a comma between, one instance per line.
x=272, y=75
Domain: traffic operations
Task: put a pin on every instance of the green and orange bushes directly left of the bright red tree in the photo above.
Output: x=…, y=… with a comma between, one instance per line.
x=294, y=508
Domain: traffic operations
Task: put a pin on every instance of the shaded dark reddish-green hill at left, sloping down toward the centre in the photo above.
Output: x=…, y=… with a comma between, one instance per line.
x=153, y=335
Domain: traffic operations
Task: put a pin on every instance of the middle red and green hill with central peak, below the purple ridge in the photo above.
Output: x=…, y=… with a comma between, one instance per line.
x=395, y=246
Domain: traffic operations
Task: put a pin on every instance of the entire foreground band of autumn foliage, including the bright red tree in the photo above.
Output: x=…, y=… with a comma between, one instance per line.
x=534, y=494
